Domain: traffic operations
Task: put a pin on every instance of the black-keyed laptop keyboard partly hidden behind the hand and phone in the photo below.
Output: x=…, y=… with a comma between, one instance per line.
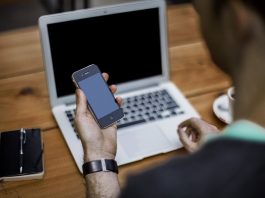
x=142, y=108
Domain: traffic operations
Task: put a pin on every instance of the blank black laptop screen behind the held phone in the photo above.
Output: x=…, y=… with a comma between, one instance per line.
x=125, y=45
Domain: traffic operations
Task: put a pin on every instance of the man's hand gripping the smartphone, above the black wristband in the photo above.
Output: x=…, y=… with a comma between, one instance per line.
x=97, y=143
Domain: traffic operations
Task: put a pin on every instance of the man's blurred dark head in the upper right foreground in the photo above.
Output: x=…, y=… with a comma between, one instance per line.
x=229, y=27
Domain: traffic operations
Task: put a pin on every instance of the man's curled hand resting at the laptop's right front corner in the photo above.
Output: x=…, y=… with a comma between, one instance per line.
x=192, y=131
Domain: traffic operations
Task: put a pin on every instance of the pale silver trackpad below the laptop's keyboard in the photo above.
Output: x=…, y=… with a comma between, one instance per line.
x=143, y=141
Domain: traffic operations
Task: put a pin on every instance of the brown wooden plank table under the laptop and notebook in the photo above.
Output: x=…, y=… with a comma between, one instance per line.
x=24, y=101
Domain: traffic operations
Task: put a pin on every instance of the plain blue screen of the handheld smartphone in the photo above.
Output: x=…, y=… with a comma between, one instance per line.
x=98, y=95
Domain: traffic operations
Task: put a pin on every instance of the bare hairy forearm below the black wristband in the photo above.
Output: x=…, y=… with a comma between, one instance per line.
x=102, y=184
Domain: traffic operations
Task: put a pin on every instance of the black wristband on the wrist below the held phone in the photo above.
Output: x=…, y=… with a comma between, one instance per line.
x=100, y=165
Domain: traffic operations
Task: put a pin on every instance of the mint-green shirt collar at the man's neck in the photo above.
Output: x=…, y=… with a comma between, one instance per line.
x=243, y=130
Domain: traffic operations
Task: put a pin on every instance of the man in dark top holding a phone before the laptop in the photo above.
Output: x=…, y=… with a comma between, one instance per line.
x=230, y=164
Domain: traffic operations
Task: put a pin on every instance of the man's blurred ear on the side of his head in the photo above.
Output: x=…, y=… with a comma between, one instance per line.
x=245, y=20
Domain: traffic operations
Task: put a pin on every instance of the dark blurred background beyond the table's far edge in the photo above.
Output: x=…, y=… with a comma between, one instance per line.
x=23, y=13
